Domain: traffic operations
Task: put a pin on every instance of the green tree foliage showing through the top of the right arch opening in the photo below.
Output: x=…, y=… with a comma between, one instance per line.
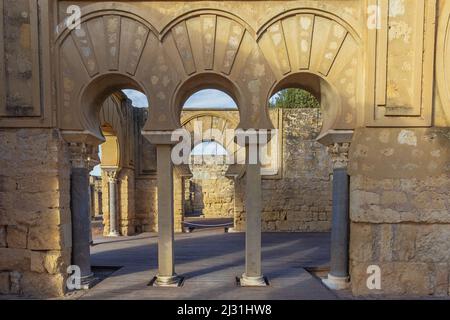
x=294, y=98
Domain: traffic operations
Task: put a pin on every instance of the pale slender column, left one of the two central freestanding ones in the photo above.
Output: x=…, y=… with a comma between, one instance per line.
x=166, y=268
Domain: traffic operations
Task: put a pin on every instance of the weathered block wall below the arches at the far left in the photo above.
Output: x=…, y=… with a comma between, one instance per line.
x=35, y=223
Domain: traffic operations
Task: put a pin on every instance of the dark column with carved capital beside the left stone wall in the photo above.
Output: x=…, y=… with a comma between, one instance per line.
x=79, y=205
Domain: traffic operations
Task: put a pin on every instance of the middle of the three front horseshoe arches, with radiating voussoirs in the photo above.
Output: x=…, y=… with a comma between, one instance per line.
x=210, y=47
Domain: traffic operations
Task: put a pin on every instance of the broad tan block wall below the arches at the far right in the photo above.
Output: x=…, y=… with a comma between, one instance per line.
x=400, y=210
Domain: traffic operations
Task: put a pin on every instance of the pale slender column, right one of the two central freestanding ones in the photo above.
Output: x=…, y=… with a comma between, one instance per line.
x=253, y=275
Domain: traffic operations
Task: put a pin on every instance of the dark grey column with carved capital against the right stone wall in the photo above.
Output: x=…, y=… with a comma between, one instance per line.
x=338, y=278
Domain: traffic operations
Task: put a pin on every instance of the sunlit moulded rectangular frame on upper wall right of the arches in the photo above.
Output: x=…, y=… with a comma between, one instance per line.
x=376, y=114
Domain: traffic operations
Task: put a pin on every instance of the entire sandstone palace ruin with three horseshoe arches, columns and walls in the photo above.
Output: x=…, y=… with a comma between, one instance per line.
x=368, y=172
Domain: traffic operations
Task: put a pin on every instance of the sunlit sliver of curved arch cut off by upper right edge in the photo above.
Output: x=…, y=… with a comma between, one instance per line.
x=443, y=58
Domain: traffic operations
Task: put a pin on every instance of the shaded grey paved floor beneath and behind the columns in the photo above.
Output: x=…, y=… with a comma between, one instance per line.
x=210, y=260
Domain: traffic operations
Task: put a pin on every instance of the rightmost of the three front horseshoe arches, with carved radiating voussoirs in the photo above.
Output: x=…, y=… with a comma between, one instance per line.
x=305, y=43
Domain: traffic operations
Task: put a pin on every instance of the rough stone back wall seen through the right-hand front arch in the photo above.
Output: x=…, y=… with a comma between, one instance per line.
x=299, y=198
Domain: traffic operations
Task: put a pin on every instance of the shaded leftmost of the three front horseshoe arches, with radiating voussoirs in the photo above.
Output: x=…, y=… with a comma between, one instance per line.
x=97, y=59
